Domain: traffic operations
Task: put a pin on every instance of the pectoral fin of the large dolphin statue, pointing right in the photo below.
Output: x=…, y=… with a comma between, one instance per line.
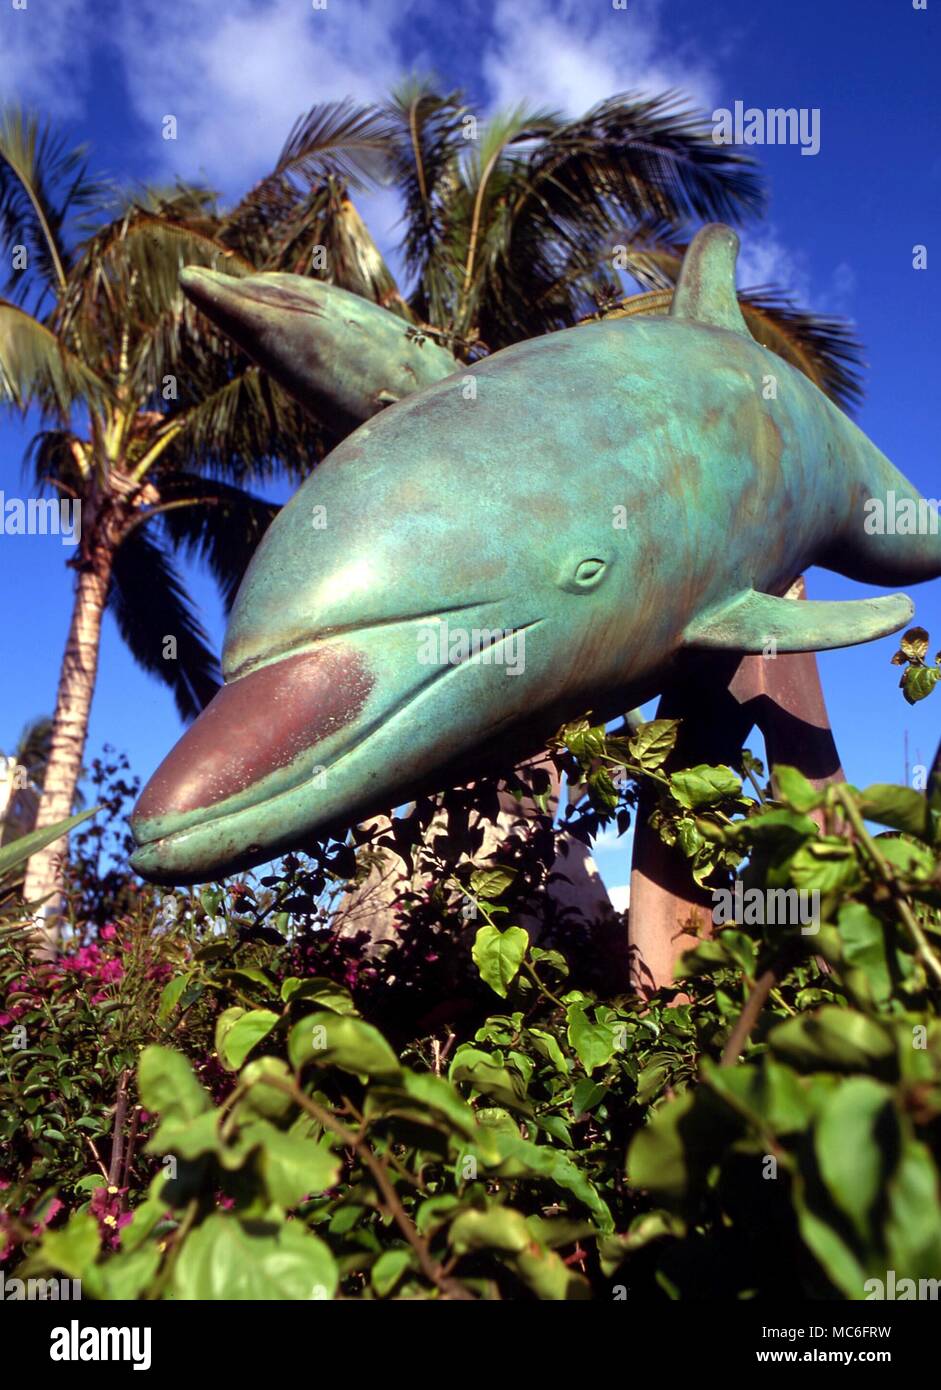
x=753, y=622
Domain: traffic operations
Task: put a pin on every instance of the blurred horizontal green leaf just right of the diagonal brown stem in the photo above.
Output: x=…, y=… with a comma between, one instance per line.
x=835, y=1040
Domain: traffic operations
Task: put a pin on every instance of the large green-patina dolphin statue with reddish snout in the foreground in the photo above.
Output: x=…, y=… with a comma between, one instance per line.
x=543, y=533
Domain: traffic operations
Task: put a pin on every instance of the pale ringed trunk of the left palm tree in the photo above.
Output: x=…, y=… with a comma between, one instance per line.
x=67, y=746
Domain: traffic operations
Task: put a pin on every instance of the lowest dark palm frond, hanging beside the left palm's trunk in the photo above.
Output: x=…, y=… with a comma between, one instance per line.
x=151, y=607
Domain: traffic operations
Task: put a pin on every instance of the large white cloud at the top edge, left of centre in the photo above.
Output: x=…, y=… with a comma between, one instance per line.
x=238, y=76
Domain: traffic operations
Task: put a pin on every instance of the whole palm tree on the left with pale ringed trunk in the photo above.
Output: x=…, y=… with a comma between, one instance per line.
x=149, y=423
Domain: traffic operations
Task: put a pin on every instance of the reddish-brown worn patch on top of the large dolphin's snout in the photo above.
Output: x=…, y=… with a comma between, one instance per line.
x=255, y=726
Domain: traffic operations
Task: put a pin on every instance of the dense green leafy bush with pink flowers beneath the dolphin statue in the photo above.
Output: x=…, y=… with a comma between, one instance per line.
x=215, y=1095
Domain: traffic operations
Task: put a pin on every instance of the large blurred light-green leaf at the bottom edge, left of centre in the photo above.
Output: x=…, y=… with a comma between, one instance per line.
x=222, y=1261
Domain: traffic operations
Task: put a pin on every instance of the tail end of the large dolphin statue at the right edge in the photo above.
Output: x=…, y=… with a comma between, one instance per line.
x=893, y=534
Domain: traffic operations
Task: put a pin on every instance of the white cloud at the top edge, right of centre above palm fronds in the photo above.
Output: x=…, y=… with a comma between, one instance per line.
x=569, y=56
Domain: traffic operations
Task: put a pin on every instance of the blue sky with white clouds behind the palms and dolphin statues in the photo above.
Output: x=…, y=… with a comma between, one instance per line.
x=839, y=234
